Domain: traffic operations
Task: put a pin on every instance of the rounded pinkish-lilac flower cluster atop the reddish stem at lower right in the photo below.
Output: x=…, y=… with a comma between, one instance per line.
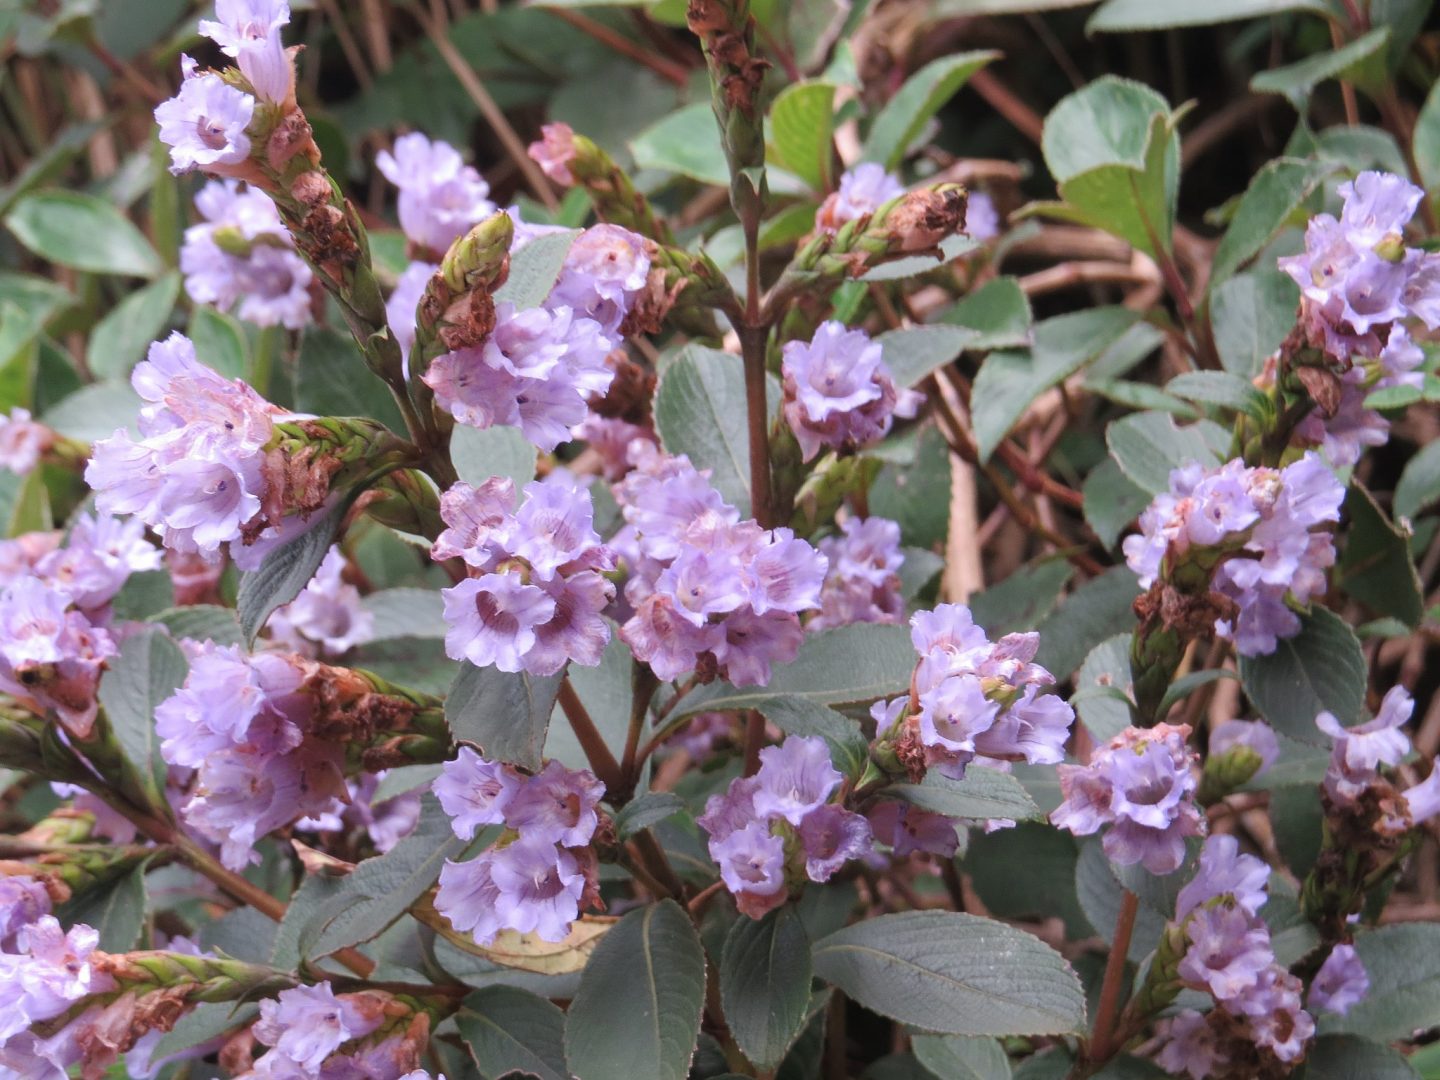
x=1141, y=790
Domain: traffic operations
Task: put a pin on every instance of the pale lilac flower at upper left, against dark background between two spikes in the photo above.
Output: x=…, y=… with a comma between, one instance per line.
x=441, y=198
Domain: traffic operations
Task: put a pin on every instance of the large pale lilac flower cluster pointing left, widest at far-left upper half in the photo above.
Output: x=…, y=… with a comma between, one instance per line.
x=197, y=476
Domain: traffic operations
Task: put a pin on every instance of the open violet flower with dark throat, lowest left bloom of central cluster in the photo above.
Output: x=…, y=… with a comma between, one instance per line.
x=493, y=620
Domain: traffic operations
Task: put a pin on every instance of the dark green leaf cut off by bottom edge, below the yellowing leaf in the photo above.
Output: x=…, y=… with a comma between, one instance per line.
x=510, y=1030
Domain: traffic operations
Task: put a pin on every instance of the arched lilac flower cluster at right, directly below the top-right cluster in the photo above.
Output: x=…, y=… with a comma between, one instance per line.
x=1262, y=534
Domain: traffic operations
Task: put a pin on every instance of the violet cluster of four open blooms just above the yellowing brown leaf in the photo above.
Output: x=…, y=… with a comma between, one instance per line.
x=541, y=872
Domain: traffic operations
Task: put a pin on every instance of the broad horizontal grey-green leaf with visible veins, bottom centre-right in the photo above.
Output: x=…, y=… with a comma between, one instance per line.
x=954, y=974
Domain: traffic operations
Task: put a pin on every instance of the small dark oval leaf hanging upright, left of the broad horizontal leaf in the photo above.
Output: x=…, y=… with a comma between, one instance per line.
x=765, y=976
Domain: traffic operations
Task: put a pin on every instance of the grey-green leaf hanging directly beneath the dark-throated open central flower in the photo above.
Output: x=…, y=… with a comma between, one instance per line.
x=505, y=714
